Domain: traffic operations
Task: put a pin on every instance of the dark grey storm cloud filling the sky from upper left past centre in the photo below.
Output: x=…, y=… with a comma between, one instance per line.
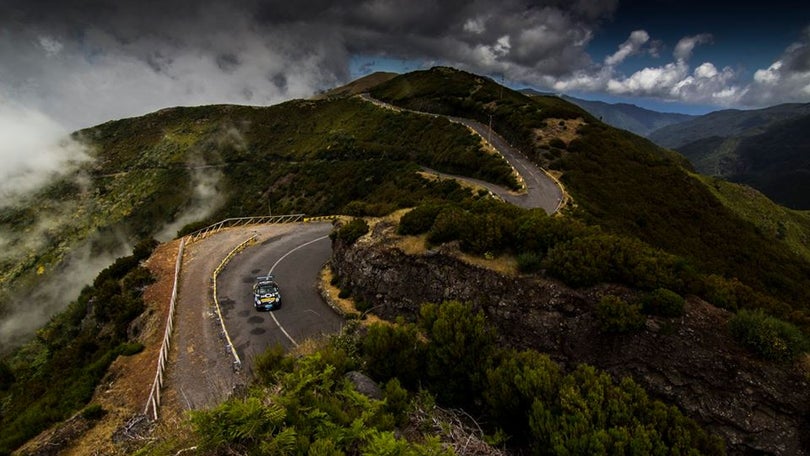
x=164, y=46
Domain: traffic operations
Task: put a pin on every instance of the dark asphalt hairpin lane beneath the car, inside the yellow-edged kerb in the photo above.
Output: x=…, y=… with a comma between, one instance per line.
x=295, y=258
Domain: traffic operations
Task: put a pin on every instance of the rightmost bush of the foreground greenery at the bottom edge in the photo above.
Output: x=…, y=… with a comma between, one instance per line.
x=591, y=414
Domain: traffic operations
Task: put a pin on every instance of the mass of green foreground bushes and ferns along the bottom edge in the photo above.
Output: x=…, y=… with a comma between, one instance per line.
x=449, y=358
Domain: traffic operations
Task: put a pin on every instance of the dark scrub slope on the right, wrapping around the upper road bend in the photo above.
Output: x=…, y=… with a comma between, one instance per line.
x=642, y=217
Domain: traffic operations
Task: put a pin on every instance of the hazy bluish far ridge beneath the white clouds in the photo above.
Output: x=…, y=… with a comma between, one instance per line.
x=623, y=115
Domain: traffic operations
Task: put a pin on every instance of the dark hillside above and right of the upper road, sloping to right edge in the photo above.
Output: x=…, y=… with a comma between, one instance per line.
x=624, y=183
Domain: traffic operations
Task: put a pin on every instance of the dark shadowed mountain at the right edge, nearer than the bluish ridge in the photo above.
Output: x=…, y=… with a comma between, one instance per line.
x=768, y=149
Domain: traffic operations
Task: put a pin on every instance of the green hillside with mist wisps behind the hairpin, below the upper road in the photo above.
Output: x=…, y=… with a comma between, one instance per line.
x=151, y=176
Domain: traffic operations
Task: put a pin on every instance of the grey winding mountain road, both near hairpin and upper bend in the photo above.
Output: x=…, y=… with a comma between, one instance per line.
x=201, y=370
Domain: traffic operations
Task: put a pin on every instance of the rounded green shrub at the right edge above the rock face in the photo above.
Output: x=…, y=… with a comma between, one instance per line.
x=768, y=336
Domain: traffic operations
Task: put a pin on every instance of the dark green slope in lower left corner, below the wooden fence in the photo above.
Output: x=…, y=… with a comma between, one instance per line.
x=54, y=376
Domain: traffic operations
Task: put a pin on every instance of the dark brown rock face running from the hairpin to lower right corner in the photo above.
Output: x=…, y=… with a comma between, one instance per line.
x=758, y=407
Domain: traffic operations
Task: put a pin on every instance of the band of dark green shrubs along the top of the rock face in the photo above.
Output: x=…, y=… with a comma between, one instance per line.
x=581, y=256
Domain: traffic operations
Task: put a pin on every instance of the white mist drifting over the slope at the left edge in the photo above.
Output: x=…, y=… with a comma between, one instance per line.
x=48, y=254
